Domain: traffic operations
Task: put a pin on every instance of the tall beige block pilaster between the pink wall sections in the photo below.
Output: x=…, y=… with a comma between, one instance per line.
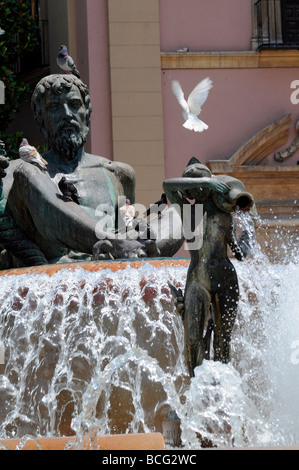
x=136, y=95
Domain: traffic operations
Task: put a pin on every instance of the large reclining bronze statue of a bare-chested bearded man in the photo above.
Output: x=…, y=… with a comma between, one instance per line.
x=66, y=231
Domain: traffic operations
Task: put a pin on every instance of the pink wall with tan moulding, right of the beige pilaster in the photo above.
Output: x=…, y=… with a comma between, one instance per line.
x=251, y=88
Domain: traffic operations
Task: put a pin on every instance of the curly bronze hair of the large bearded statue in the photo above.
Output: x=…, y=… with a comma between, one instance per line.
x=57, y=84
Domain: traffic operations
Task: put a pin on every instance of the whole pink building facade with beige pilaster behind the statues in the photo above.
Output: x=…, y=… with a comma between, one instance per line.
x=128, y=53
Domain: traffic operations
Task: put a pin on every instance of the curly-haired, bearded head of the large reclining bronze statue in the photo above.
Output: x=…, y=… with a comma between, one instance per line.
x=62, y=110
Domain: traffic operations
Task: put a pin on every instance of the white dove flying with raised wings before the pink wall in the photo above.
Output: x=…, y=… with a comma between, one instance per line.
x=192, y=107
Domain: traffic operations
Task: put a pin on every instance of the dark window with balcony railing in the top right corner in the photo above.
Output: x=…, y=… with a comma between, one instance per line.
x=275, y=24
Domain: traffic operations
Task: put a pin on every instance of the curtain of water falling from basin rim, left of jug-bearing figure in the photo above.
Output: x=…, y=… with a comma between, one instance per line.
x=62, y=332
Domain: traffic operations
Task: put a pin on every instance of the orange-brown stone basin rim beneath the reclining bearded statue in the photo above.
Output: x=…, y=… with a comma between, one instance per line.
x=94, y=266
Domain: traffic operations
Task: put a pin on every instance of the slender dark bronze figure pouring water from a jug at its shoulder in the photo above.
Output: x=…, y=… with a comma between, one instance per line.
x=210, y=301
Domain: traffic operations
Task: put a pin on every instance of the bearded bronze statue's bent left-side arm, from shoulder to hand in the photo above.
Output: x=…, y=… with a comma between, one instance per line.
x=38, y=208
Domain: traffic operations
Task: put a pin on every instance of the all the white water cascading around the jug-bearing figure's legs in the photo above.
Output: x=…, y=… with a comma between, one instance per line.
x=93, y=353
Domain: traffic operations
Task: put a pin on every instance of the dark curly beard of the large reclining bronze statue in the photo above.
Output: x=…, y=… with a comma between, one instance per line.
x=68, y=140
